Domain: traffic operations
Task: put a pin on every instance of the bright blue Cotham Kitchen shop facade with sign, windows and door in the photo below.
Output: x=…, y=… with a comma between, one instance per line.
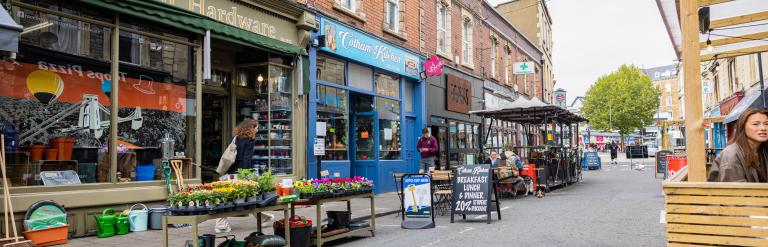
x=366, y=106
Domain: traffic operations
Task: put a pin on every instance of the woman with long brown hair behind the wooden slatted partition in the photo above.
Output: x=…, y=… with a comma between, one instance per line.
x=744, y=159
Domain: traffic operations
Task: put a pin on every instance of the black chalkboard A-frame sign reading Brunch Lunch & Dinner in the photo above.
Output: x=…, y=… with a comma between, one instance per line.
x=472, y=188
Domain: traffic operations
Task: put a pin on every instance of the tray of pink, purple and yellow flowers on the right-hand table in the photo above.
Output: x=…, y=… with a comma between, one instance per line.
x=315, y=189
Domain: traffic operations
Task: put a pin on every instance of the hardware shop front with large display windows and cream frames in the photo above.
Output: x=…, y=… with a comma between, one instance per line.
x=109, y=90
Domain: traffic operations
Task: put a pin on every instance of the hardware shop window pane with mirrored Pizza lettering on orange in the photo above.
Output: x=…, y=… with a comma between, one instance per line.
x=156, y=107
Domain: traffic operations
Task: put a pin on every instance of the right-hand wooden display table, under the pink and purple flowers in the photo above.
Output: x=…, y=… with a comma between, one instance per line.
x=319, y=240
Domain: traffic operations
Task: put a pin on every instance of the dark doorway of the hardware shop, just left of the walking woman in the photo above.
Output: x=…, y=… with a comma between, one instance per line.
x=215, y=131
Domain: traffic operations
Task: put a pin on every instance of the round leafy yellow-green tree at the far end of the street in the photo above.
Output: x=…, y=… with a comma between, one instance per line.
x=624, y=100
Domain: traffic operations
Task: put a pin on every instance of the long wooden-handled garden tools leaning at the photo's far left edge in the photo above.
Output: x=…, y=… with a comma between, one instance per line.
x=16, y=241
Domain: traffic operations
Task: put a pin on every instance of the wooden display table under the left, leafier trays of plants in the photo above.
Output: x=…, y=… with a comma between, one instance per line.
x=194, y=220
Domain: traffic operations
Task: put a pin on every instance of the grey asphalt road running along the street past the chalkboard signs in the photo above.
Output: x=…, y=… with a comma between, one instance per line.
x=614, y=206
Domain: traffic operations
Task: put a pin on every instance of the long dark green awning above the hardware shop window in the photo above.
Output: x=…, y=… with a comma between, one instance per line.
x=192, y=22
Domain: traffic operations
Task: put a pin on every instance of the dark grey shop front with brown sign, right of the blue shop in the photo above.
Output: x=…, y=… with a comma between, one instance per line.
x=452, y=95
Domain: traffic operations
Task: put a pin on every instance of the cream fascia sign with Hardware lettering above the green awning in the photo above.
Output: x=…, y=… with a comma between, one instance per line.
x=242, y=17
